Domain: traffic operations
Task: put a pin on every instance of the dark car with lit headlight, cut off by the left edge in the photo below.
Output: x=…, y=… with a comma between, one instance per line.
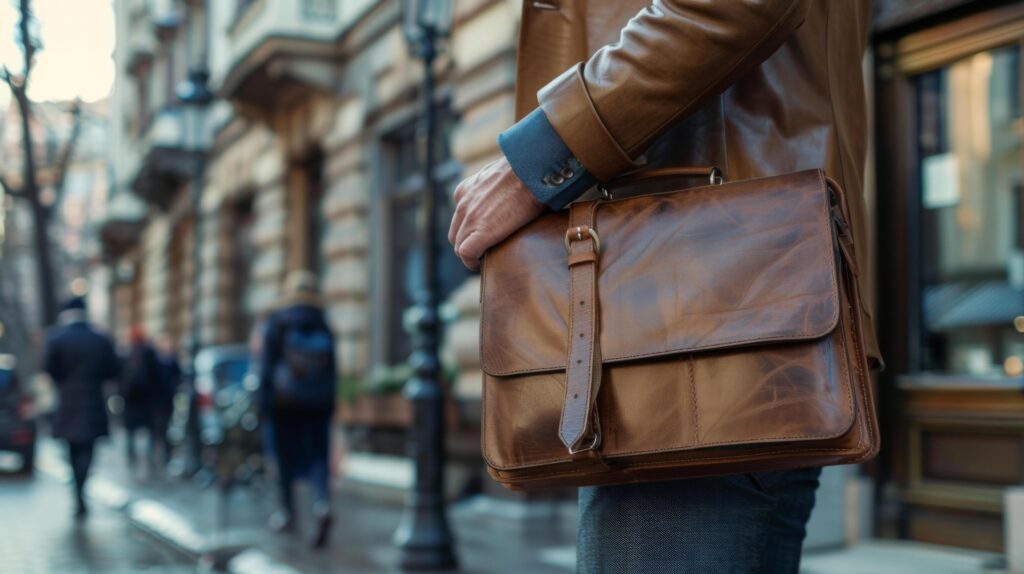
x=18, y=418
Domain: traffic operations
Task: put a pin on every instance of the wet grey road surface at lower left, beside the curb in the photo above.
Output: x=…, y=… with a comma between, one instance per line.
x=38, y=536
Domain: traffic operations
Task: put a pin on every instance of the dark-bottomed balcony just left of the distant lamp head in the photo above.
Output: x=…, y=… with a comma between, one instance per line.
x=166, y=163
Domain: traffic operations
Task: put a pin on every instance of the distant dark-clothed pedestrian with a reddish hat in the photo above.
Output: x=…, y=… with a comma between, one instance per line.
x=141, y=389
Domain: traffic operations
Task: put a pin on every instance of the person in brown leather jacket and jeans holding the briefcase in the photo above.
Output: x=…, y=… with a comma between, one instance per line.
x=756, y=87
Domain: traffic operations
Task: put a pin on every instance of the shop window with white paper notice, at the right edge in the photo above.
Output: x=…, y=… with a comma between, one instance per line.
x=972, y=253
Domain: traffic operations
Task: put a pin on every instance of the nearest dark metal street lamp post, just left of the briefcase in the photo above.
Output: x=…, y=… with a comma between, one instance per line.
x=424, y=539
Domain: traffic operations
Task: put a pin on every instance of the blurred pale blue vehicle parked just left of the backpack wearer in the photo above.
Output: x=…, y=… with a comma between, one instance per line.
x=217, y=415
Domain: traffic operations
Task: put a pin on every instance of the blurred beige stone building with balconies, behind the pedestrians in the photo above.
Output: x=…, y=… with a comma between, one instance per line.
x=306, y=159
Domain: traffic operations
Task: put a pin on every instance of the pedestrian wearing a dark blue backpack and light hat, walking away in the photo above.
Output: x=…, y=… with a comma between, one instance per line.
x=298, y=373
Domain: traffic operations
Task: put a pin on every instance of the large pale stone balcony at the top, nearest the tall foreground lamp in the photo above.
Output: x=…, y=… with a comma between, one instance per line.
x=284, y=45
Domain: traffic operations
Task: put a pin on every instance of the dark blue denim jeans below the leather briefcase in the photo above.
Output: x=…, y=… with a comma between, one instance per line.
x=741, y=524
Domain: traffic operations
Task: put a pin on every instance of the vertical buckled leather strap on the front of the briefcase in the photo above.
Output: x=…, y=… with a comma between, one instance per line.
x=580, y=430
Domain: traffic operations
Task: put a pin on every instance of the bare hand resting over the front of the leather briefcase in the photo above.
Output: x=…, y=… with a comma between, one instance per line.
x=489, y=207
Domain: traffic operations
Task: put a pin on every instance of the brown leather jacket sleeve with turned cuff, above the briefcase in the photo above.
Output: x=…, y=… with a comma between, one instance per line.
x=672, y=57
